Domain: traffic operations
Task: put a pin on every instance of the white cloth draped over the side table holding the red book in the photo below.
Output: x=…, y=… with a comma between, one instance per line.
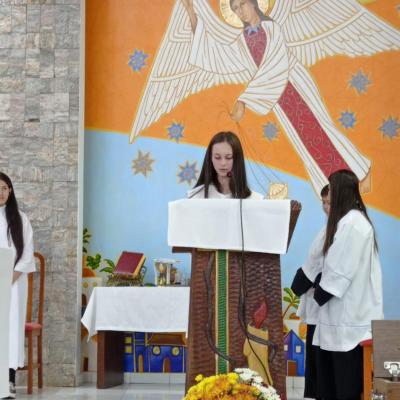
x=137, y=309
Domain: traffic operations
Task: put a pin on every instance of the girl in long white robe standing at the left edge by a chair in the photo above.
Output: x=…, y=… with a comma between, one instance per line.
x=16, y=234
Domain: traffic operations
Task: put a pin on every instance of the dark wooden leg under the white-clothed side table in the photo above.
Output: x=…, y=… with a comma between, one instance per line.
x=110, y=359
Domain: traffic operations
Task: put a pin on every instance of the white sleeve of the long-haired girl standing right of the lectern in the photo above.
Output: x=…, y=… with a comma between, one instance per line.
x=343, y=259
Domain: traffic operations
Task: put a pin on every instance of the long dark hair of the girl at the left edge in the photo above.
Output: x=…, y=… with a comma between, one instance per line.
x=14, y=220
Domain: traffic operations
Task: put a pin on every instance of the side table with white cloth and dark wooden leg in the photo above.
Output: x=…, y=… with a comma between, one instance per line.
x=112, y=311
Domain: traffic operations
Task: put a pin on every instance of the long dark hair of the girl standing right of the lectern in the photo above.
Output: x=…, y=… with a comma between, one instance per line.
x=345, y=196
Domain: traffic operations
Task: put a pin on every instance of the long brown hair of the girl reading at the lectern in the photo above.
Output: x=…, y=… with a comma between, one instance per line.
x=208, y=175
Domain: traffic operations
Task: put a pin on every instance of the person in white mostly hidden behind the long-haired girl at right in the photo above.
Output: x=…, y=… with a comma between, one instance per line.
x=303, y=286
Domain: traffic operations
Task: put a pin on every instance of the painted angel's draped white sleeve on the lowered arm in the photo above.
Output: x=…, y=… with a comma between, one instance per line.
x=270, y=80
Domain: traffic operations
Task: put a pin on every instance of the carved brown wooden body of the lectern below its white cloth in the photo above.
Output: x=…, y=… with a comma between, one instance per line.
x=261, y=281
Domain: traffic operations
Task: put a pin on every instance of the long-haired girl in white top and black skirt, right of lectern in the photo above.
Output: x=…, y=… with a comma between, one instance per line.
x=349, y=291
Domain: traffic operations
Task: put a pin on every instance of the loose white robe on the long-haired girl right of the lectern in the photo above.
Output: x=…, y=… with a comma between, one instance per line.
x=352, y=273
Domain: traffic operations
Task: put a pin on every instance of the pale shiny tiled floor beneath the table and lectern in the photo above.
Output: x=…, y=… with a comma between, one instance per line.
x=123, y=392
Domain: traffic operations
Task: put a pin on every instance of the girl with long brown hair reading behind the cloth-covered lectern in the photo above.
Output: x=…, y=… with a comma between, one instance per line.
x=223, y=174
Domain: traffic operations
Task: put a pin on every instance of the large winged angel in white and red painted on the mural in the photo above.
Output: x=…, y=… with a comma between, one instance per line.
x=269, y=53
